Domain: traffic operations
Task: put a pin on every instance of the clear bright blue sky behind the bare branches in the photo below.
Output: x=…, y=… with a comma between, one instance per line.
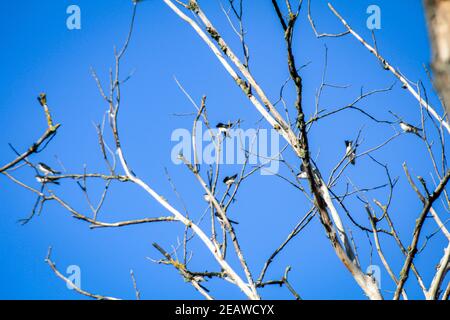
x=40, y=54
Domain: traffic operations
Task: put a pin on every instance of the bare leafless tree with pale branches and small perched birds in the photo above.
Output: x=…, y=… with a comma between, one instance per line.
x=326, y=203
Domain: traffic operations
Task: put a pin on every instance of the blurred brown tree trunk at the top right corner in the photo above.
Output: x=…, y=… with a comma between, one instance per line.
x=438, y=17
